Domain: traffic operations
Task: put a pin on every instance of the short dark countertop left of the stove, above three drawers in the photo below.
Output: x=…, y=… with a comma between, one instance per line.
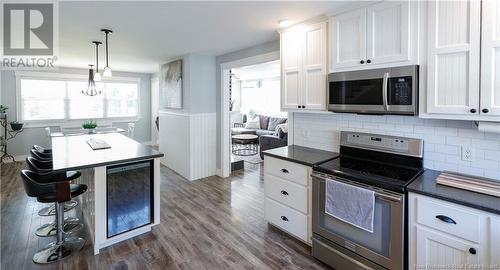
x=299, y=154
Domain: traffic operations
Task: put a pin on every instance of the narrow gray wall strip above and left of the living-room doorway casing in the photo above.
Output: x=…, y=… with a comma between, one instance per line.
x=229, y=57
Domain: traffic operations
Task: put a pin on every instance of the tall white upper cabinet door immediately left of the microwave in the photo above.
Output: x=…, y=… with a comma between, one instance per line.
x=315, y=67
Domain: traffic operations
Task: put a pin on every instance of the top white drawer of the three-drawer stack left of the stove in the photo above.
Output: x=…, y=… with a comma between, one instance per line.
x=287, y=170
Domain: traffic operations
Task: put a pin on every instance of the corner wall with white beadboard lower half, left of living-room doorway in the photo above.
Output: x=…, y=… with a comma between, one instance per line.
x=187, y=136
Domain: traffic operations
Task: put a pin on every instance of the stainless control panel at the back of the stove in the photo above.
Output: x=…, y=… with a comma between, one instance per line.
x=385, y=143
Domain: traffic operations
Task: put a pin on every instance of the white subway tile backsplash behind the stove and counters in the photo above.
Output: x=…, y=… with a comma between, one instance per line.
x=443, y=139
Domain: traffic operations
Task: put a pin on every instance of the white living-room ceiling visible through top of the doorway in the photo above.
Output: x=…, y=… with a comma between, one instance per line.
x=259, y=71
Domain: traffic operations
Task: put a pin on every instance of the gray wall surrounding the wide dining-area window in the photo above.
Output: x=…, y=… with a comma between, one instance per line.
x=23, y=142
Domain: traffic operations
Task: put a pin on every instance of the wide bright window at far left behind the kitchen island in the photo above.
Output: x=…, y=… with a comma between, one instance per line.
x=52, y=97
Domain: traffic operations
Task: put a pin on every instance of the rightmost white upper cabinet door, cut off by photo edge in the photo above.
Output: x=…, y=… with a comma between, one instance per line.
x=490, y=58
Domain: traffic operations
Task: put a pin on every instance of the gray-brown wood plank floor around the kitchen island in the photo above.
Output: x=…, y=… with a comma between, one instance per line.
x=212, y=223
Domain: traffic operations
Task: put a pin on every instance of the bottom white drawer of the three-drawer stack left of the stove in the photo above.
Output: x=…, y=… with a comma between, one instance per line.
x=286, y=218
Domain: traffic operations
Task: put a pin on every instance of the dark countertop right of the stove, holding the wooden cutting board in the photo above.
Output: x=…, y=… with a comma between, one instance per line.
x=426, y=184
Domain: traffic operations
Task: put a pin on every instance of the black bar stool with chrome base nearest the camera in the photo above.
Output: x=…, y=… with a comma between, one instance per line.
x=56, y=192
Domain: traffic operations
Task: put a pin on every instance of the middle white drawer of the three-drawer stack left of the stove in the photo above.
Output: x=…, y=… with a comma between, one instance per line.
x=286, y=192
